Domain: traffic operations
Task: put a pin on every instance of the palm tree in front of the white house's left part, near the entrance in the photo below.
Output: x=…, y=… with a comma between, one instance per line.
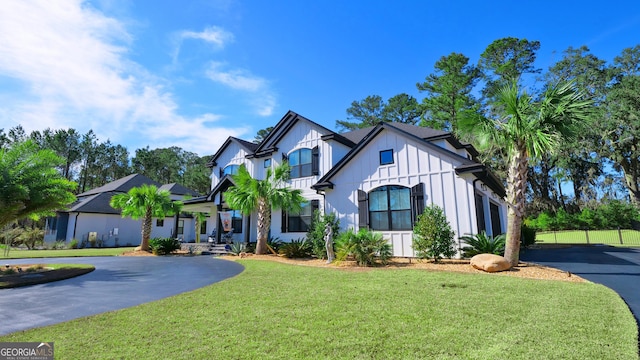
x=250, y=194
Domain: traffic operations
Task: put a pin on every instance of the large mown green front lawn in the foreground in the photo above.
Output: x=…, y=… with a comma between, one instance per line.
x=278, y=311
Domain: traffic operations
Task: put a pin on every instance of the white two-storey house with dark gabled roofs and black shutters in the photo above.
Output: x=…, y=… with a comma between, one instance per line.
x=379, y=178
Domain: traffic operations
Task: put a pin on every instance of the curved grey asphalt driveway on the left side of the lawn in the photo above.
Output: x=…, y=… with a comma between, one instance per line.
x=118, y=282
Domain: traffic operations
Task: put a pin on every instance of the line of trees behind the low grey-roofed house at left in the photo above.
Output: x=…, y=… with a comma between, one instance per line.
x=92, y=163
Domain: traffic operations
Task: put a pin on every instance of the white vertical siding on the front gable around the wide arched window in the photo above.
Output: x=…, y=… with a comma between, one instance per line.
x=414, y=163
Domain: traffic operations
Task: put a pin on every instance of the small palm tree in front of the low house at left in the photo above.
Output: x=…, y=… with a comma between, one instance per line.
x=145, y=202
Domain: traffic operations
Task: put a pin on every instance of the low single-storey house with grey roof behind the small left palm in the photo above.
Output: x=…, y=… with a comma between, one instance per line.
x=91, y=218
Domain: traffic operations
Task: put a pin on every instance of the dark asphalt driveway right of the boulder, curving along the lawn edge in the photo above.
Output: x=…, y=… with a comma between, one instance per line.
x=616, y=268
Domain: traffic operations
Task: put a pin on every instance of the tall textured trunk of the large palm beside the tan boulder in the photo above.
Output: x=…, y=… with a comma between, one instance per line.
x=516, y=186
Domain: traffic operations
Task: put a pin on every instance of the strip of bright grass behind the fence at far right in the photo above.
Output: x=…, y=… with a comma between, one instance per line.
x=610, y=237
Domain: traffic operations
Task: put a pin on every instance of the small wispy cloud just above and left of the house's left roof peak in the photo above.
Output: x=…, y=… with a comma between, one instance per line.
x=262, y=97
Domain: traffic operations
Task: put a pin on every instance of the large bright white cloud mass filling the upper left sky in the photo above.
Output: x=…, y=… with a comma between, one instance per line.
x=69, y=68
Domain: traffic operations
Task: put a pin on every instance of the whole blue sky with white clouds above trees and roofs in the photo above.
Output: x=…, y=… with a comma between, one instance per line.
x=191, y=73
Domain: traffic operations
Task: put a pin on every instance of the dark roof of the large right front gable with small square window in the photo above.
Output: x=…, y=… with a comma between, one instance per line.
x=418, y=133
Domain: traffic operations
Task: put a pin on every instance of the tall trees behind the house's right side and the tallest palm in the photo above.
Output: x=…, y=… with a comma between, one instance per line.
x=600, y=162
